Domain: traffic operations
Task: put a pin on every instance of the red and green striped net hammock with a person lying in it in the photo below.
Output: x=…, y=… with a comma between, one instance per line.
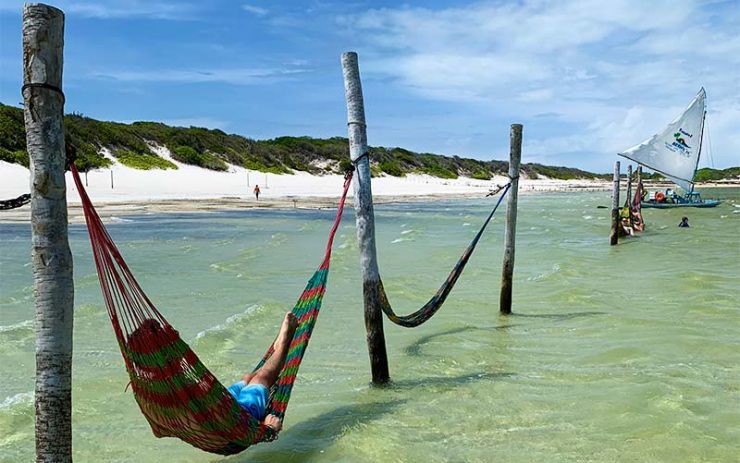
x=177, y=394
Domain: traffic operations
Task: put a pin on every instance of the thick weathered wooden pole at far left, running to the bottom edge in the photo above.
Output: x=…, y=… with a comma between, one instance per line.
x=43, y=43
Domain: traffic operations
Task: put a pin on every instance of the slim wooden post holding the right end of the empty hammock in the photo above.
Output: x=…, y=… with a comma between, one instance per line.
x=515, y=157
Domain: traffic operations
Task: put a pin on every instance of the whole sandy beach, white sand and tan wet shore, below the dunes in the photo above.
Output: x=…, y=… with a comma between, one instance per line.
x=121, y=190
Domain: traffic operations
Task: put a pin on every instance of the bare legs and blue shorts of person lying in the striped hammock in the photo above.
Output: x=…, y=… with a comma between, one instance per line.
x=252, y=391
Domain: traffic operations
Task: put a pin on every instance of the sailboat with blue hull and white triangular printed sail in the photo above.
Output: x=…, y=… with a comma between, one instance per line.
x=675, y=153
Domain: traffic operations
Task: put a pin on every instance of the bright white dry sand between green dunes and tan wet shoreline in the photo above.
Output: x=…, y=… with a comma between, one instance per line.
x=190, y=182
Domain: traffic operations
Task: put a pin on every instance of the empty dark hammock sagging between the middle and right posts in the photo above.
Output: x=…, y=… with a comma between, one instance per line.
x=435, y=303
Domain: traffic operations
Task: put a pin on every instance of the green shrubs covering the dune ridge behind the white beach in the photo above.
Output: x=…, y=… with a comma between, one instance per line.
x=132, y=145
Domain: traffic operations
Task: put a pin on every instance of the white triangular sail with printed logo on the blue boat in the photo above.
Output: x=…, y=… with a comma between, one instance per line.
x=675, y=151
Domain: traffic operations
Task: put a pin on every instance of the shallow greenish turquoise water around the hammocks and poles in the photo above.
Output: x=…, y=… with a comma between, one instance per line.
x=627, y=353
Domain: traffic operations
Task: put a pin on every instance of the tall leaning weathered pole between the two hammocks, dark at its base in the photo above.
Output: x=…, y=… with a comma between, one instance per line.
x=363, y=197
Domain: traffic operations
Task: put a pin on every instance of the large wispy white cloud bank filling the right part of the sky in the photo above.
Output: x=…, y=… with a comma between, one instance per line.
x=612, y=73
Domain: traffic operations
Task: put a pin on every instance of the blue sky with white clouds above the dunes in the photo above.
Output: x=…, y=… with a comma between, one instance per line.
x=587, y=78
